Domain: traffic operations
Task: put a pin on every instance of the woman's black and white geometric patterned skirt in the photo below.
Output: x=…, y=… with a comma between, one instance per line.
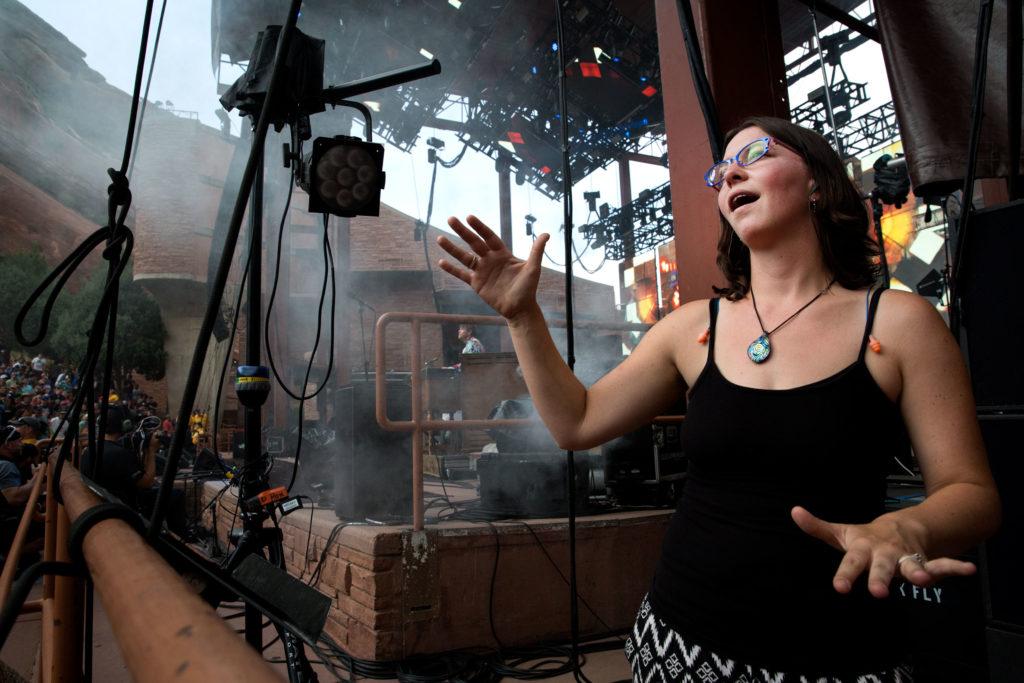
x=659, y=655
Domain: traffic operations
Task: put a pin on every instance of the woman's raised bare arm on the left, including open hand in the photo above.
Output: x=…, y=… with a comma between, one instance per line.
x=638, y=390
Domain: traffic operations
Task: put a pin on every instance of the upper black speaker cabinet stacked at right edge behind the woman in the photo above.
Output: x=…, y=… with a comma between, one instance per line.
x=992, y=321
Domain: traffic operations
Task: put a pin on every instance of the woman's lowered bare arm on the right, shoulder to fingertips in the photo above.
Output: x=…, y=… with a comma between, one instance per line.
x=963, y=506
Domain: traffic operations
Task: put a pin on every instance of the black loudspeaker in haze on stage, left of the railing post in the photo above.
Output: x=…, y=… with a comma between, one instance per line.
x=374, y=467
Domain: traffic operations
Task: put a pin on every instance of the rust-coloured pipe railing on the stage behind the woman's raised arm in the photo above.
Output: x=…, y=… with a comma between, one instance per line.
x=419, y=424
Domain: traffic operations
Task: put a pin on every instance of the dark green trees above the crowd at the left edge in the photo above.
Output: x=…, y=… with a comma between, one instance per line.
x=141, y=331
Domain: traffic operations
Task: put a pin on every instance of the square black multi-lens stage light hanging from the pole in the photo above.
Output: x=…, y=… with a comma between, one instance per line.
x=346, y=177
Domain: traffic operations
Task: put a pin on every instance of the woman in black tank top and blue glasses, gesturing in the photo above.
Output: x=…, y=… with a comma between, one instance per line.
x=802, y=383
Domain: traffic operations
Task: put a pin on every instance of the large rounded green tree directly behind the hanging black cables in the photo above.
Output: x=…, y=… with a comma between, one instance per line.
x=141, y=331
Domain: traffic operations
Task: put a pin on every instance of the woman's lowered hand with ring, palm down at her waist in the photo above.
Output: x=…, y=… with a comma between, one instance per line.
x=884, y=548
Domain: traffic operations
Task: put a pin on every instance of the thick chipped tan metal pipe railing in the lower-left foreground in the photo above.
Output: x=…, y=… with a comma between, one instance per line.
x=164, y=630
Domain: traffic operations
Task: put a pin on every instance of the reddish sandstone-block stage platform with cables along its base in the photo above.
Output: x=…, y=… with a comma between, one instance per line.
x=398, y=593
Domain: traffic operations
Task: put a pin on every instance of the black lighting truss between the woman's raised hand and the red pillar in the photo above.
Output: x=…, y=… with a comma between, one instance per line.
x=635, y=229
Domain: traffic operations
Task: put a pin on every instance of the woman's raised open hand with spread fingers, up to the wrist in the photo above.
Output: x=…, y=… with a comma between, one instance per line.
x=505, y=283
